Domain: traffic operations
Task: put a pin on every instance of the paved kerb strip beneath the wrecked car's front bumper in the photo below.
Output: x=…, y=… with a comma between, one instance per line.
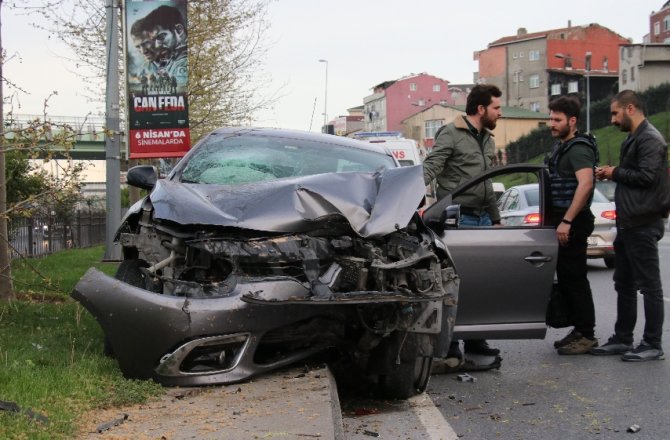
x=294, y=403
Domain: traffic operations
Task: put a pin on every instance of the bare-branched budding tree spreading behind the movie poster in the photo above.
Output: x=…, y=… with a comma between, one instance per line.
x=226, y=49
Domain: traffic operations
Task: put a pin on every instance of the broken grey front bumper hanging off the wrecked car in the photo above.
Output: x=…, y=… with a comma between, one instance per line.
x=158, y=336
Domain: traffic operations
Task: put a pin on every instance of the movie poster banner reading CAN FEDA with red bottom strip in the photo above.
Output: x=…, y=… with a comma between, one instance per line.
x=157, y=76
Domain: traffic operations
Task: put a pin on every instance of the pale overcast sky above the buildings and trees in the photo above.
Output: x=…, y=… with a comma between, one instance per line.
x=365, y=42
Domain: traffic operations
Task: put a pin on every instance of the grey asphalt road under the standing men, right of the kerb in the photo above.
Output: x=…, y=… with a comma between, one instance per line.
x=537, y=393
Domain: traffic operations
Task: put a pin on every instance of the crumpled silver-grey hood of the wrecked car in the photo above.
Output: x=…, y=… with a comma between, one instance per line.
x=374, y=204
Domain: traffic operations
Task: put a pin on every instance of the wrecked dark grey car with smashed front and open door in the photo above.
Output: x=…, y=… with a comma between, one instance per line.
x=264, y=247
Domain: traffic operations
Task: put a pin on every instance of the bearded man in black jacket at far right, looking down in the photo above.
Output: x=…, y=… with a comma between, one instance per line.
x=641, y=199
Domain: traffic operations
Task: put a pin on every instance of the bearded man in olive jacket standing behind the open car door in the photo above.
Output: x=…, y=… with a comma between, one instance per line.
x=464, y=149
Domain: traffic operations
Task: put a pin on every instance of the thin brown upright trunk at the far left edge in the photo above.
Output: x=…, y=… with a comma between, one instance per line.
x=6, y=287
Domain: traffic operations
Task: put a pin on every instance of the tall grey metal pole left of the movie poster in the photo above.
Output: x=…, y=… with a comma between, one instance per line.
x=112, y=133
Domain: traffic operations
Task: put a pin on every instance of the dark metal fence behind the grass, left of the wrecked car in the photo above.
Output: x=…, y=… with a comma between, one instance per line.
x=43, y=235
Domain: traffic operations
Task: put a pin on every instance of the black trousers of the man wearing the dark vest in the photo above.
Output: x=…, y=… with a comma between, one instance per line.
x=571, y=271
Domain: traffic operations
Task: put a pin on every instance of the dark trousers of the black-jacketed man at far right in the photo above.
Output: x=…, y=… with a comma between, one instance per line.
x=636, y=267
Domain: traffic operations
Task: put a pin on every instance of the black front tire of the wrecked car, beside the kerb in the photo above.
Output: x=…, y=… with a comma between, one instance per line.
x=409, y=377
